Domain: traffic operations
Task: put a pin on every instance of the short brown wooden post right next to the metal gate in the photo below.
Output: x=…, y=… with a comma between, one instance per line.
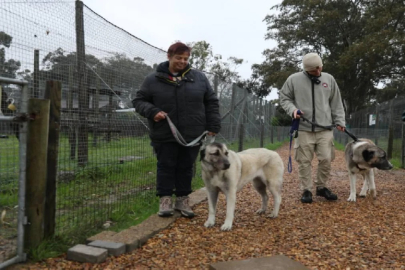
x=37, y=145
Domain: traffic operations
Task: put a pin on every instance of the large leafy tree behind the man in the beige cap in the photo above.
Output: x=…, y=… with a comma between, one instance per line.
x=361, y=43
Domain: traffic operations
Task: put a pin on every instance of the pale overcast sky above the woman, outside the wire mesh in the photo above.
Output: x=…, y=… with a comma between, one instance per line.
x=232, y=27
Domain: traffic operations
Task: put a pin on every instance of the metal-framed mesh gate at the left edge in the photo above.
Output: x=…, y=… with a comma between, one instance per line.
x=14, y=95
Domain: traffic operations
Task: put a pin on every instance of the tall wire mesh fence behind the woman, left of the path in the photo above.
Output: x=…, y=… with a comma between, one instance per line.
x=106, y=167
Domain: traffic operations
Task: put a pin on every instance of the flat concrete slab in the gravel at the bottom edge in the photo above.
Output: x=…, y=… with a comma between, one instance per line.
x=279, y=262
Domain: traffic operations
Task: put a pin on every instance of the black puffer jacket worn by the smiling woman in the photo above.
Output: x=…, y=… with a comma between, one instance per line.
x=190, y=102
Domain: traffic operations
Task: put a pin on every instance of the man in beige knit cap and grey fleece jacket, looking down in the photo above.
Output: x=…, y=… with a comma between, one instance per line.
x=317, y=96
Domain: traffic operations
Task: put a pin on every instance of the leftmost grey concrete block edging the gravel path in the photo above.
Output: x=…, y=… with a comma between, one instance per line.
x=83, y=253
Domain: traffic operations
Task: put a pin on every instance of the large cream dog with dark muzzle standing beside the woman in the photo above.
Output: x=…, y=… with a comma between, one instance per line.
x=227, y=171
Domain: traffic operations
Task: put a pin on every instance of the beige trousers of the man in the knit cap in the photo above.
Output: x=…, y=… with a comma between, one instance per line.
x=308, y=143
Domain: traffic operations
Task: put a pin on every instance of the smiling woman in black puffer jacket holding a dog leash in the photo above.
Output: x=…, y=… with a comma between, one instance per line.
x=185, y=95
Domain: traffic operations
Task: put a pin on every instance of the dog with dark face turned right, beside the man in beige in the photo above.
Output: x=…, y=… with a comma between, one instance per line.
x=361, y=157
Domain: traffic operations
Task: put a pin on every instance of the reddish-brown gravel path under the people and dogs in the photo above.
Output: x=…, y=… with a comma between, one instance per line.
x=366, y=234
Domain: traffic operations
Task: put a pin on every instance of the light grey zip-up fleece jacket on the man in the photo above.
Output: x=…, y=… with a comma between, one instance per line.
x=321, y=103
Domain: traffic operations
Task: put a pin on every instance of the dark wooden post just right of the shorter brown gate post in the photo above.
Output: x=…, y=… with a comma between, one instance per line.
x=53, y=93
